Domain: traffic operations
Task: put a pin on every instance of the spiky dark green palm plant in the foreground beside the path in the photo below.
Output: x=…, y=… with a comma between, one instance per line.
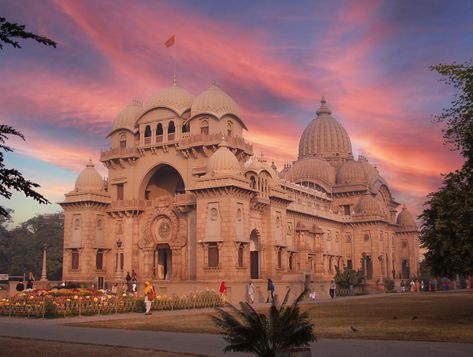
x=281, y=329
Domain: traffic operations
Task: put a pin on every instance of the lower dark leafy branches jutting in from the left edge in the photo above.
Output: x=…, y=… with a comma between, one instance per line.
x=12, y=179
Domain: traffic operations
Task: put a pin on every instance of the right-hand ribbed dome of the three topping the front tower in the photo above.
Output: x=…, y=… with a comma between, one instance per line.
x=216, y=102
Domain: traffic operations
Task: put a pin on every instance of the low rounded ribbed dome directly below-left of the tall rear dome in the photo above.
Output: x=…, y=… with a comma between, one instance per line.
x=312, y=169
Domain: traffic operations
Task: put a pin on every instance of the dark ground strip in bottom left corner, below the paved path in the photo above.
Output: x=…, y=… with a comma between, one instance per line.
x=11, y=346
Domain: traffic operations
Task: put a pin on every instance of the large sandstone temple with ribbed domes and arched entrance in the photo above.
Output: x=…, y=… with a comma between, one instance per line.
x=187, y=205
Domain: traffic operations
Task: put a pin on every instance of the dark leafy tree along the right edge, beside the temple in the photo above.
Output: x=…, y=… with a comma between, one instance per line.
x=447, y=231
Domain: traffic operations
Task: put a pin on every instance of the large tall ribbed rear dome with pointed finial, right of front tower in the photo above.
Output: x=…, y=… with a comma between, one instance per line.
x=325, y=137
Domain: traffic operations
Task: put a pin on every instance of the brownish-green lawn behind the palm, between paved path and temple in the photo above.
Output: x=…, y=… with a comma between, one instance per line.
x=440, y=317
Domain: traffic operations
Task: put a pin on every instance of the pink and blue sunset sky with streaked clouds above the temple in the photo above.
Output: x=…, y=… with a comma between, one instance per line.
x=370, y=59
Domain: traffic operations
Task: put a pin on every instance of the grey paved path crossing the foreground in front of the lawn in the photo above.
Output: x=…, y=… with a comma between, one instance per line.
x=208, y=344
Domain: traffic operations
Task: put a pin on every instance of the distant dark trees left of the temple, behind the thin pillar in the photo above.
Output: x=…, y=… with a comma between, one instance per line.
x=21, y=248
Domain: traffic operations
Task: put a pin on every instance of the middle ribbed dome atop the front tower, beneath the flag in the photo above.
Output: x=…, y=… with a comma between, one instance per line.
x=174, y=98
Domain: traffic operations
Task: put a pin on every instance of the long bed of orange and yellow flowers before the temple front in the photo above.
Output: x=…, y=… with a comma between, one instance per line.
x=77, y=302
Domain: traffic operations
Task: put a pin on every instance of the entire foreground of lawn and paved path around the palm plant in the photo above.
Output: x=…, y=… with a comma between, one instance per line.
x=433, y=324
